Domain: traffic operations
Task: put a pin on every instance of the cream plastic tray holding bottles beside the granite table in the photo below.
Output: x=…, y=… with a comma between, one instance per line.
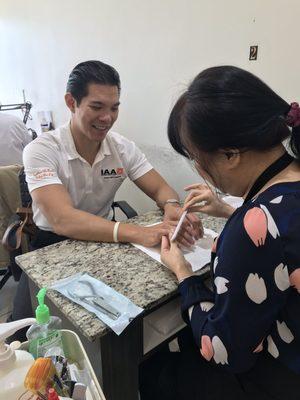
x=75, y=352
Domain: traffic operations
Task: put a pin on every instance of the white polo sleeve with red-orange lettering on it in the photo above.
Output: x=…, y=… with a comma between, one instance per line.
x=40, y=164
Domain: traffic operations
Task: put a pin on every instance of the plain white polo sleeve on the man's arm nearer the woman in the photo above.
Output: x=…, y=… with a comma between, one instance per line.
x=135, y=162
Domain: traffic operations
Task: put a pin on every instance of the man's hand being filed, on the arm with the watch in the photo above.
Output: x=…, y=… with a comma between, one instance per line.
x=191, y=229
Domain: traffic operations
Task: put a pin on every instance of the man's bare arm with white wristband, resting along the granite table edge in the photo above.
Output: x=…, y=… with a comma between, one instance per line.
x=56, y=204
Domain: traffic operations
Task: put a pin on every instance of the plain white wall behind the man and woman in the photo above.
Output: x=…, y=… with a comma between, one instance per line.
x=157, y=46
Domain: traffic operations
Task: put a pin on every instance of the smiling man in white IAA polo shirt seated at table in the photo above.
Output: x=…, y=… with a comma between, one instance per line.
x=74, y=172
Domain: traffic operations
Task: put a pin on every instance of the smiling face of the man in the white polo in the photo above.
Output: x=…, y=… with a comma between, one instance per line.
x=97, y=111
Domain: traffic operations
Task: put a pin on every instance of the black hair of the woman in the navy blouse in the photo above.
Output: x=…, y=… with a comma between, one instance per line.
x=228, y=107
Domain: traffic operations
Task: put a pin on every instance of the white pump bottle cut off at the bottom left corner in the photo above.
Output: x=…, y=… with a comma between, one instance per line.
x=14, y=364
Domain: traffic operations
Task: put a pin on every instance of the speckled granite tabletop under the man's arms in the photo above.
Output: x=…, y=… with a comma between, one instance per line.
x=122, y=266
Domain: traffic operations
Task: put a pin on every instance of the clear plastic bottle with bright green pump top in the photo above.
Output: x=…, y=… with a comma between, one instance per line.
x=45, y=335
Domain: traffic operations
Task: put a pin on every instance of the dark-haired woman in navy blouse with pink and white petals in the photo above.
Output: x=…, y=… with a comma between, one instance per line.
x=247, y=328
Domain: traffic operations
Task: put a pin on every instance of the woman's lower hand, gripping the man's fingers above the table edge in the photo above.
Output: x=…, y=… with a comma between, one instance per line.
x=172, y=257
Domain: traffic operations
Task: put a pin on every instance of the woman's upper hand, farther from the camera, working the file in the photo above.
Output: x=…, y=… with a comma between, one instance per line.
x=210, y=203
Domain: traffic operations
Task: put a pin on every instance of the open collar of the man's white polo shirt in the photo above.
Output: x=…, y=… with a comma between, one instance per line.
x=67, y=139
